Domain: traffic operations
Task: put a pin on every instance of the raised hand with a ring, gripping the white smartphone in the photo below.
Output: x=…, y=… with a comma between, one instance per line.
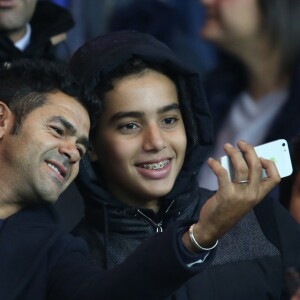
x=233, y=200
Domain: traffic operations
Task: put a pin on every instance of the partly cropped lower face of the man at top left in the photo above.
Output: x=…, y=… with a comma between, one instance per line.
x=14, y=14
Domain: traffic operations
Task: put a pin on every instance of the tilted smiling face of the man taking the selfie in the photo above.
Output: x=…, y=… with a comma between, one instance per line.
x=42, y=159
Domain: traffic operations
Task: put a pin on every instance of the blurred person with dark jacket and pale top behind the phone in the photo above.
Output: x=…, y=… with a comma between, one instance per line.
x=254, y=93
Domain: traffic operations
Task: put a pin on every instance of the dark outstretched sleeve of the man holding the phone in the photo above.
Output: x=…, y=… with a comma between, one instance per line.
x=153, y=271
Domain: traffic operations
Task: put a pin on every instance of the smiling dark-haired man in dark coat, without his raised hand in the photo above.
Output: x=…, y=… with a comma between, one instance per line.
x=44, y=128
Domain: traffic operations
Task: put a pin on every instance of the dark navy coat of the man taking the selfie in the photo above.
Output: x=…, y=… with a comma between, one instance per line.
x=39, y=261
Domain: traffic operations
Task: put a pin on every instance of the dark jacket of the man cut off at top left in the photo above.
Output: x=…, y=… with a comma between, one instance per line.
x=49, y=25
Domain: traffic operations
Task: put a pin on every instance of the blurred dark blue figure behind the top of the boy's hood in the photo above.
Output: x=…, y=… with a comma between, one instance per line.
x=174, y=22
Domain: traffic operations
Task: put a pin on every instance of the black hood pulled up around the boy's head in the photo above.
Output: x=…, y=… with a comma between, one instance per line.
x=105, y=53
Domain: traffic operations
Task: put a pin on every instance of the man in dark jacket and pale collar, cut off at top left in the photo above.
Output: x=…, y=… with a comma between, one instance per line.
x=32, y=29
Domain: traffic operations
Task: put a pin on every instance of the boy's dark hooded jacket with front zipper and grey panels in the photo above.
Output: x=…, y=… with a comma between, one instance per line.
x=250, y=258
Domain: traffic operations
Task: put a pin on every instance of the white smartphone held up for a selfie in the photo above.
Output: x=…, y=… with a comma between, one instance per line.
x=277, y=151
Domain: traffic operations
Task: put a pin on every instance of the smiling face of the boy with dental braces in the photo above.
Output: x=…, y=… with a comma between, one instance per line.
x=140, y=139
